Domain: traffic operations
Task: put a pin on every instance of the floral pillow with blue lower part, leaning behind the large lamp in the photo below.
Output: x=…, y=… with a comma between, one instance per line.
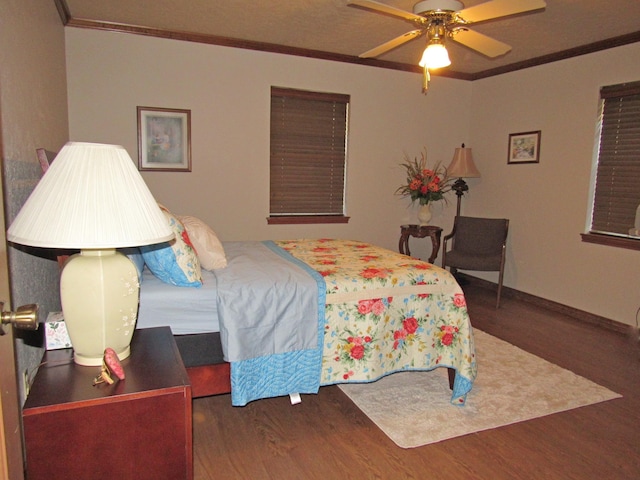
x=174, y=262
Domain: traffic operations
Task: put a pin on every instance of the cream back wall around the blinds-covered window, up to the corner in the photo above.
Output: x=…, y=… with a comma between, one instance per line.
x=228, y=93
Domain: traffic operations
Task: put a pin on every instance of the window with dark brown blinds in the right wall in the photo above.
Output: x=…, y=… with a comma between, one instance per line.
x=617, y=183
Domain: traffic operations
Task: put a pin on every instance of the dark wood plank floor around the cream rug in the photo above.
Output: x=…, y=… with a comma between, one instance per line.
x=327, y=437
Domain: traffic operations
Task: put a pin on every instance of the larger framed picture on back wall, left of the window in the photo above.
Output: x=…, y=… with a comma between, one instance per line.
x=164, y=139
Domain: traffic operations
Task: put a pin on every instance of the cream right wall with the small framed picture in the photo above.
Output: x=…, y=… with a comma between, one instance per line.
x=548, y=203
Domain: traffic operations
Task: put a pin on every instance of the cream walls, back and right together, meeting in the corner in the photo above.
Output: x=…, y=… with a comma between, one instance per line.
x=227, y=91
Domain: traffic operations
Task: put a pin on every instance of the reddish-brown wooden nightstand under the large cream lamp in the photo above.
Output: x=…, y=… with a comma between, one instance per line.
x=137, y=428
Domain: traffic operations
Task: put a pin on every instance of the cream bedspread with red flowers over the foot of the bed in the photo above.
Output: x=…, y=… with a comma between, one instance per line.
x=387, y=312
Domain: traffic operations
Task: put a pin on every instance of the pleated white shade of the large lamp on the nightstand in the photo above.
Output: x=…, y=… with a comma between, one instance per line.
x=92, y=196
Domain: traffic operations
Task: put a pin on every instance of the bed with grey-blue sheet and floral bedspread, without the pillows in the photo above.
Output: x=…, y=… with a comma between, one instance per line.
x=287, y=317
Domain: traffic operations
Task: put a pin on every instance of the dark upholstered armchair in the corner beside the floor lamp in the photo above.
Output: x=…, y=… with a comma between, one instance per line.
x=477, y=244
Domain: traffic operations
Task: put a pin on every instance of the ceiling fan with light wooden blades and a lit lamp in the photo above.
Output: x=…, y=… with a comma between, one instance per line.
x=448, y=19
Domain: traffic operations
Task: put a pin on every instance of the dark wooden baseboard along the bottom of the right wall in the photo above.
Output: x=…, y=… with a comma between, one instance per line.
x=581, y=315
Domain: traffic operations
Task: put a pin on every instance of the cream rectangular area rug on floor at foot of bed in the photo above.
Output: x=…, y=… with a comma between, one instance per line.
x=413, y=409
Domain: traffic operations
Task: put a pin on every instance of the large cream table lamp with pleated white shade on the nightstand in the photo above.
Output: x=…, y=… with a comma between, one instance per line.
x=93, y=198
